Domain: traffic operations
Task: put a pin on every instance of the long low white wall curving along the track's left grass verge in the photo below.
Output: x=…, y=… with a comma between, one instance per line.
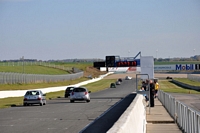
x=18, y=93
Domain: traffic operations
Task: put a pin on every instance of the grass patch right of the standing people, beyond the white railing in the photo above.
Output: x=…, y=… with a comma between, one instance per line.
x=168, y=86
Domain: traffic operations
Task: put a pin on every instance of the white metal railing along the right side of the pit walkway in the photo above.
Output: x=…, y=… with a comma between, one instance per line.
x=187, y=118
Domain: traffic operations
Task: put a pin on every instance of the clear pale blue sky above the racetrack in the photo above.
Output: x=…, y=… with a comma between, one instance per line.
x=69, y=29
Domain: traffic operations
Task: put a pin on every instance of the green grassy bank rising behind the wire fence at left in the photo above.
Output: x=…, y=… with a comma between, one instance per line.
x=33, y=70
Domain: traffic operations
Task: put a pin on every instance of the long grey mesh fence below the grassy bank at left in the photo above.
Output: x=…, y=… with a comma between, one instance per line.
x=14, y=78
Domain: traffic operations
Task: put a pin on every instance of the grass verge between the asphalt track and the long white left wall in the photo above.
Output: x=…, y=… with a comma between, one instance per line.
x=93, y=87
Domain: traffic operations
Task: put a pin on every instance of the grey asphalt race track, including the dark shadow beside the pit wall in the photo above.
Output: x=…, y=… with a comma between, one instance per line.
x=61, y=116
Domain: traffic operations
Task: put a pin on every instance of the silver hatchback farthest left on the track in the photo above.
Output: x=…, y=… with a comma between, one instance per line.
x=34, y=97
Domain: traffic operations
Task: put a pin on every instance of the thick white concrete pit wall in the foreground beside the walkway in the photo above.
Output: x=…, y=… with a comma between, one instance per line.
x=133, y=119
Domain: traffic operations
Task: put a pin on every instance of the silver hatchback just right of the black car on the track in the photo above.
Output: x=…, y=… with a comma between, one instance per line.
x=80, y=94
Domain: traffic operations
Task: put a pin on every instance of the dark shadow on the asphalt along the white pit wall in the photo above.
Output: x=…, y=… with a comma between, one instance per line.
x=106, y=121
